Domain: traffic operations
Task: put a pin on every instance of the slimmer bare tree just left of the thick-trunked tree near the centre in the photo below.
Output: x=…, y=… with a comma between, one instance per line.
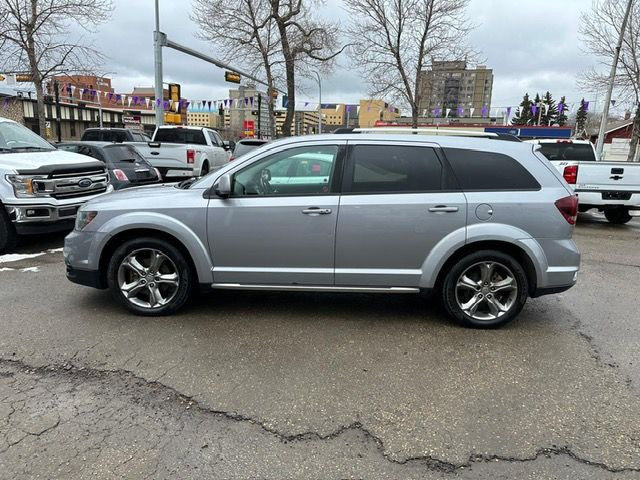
x=243, y=26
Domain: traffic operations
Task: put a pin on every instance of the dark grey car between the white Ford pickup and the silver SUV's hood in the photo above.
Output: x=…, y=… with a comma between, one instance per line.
x=127, y=168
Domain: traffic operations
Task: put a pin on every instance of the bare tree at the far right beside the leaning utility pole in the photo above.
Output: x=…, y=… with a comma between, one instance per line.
x=600, y=31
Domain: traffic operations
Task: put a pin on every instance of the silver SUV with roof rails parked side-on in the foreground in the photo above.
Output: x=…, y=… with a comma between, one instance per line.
x=486, y=223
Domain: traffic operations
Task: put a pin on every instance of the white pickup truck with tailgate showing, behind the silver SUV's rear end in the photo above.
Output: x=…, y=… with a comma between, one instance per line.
x=611, y=187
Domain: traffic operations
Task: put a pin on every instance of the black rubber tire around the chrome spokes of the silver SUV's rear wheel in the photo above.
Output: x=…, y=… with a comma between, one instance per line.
x=470, y=261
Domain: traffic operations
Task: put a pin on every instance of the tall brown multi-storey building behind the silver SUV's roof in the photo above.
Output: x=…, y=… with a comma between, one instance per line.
x=450, y=85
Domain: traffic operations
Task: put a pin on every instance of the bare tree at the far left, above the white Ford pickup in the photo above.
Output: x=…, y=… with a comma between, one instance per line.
x=34, y=38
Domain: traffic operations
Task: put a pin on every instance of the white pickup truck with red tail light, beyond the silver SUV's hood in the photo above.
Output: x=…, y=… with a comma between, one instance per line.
x=178, y=151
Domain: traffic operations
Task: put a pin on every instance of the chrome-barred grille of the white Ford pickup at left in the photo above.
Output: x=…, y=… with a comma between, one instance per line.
x=73, y=184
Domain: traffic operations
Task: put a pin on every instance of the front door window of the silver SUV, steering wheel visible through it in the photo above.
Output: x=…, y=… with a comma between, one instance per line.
x=297, y=171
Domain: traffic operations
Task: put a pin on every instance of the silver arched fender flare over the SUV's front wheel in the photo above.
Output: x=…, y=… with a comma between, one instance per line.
x=165, y=224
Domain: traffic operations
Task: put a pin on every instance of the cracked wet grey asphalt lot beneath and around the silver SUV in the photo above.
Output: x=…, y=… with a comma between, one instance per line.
x=269, y=385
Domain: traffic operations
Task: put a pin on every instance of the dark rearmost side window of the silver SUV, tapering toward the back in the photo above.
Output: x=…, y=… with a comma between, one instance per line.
x=477, y=170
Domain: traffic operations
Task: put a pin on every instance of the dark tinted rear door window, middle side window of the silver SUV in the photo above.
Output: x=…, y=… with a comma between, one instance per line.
x=380, y=169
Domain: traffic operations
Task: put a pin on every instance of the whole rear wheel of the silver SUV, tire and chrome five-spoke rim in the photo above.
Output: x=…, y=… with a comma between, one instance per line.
x=485, y=289
